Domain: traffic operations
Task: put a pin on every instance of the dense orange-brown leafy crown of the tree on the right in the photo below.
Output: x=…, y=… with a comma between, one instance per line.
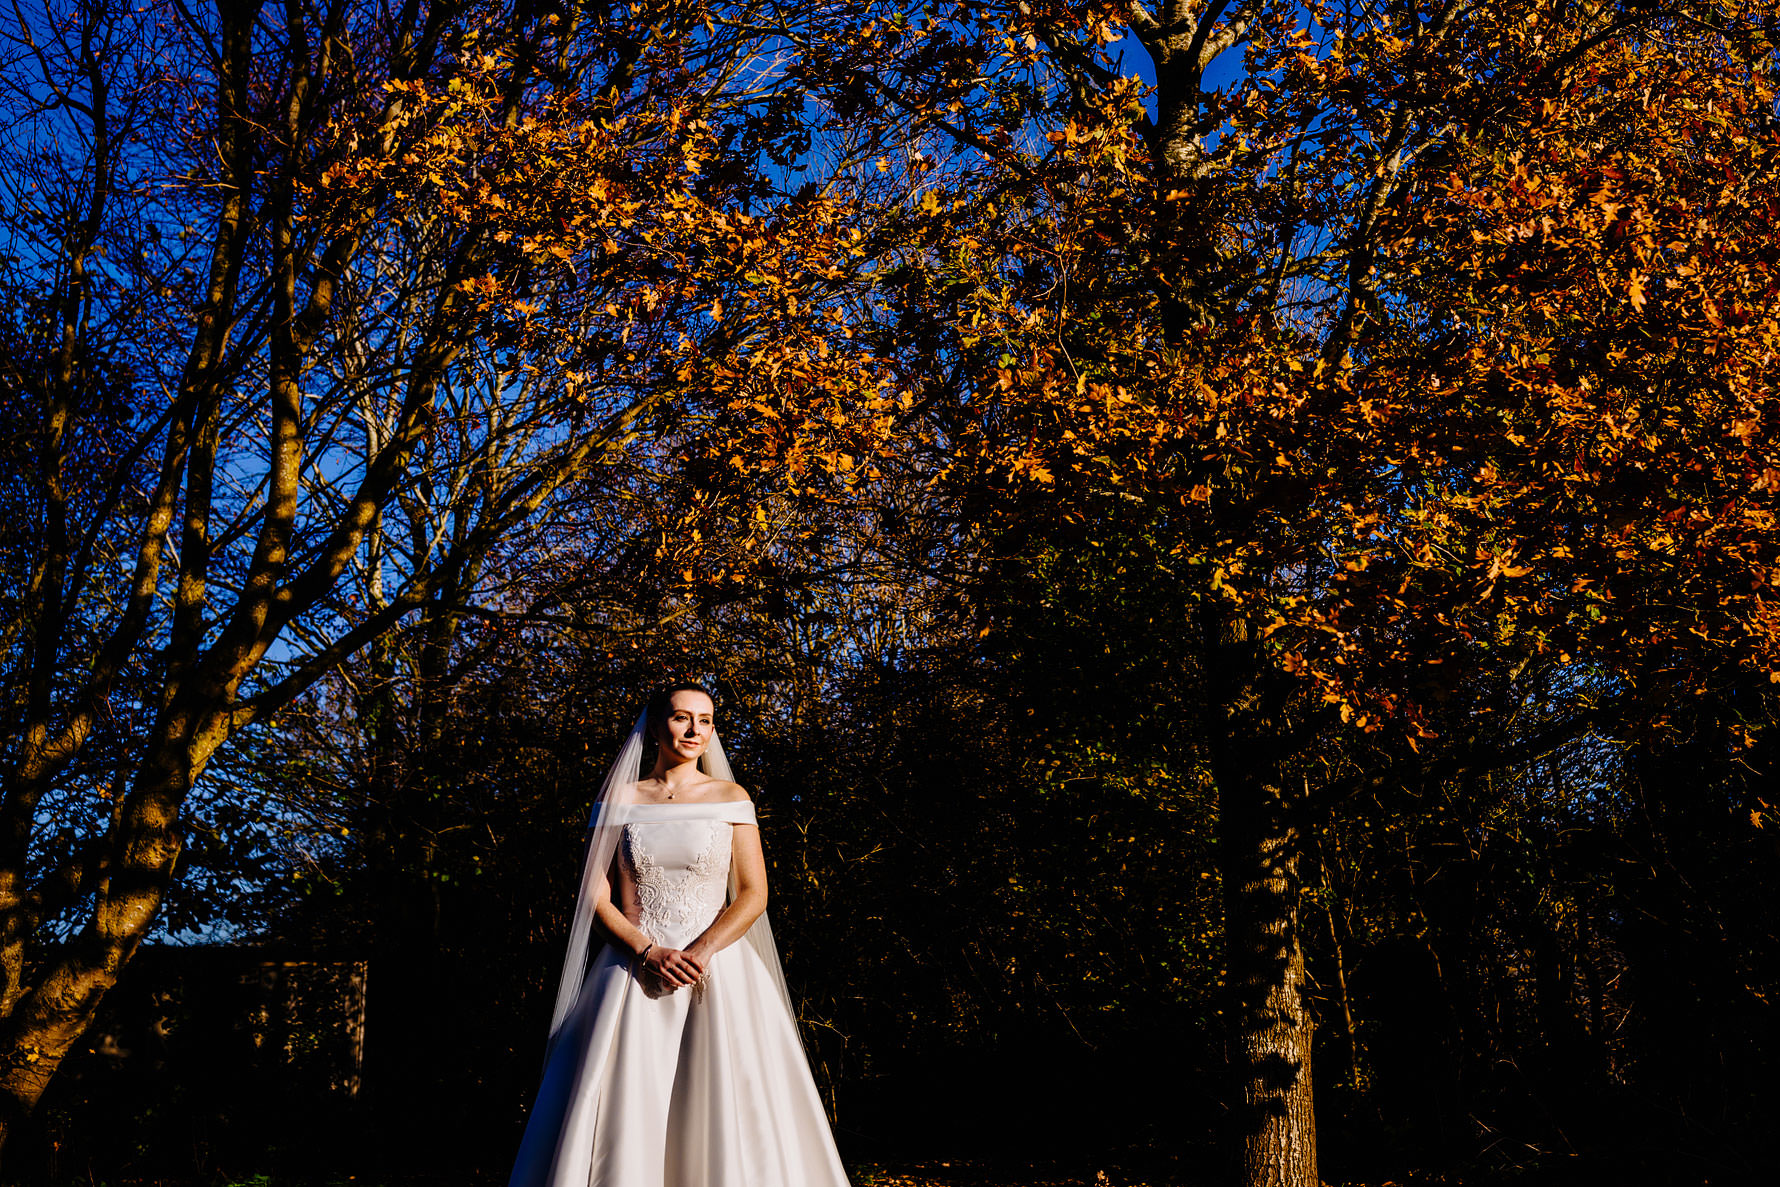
x=1487, y=369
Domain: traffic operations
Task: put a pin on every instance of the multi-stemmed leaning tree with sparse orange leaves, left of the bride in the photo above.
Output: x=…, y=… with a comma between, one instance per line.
x=321, y=293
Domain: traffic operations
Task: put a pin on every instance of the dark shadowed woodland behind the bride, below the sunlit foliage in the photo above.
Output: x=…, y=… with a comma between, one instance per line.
x=998, y=908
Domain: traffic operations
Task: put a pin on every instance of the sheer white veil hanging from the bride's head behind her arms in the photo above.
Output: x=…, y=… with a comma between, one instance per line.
x=604, y=827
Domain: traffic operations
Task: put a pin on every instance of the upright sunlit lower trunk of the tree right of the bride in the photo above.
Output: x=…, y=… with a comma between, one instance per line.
x=1259, y=848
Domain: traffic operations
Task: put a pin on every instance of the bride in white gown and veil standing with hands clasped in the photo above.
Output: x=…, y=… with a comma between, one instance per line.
x=674, y=1056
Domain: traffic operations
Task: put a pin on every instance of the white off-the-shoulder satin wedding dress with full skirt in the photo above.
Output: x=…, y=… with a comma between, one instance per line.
x=706, y=1086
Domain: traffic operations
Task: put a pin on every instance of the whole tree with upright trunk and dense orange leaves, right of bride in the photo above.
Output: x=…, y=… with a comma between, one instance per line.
x=1434, y=343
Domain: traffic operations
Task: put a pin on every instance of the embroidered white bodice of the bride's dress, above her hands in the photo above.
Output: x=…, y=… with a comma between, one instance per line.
x=683, y=875
